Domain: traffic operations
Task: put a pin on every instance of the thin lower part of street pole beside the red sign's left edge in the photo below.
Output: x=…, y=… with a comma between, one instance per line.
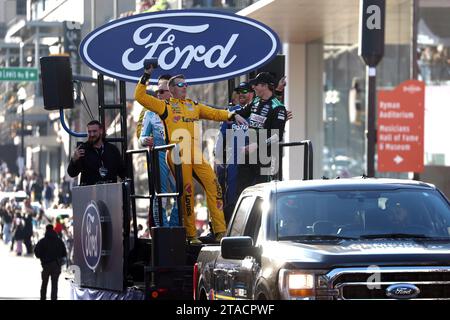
x=370, y=120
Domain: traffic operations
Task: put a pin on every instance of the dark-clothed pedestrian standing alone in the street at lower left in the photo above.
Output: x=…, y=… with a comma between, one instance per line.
x=51, y=251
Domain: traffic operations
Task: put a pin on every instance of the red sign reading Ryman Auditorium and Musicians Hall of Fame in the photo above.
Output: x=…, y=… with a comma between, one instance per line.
x=400, y=128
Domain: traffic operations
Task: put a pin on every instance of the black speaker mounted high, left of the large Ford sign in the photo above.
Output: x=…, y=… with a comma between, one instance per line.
x=57, y=87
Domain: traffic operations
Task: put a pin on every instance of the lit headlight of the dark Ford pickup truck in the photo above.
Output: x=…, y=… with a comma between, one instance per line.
x=294, y=284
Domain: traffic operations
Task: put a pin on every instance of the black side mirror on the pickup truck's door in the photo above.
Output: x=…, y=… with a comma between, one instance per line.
x=237, y=248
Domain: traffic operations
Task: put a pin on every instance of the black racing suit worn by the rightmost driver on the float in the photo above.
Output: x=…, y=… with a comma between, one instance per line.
x=267, y=118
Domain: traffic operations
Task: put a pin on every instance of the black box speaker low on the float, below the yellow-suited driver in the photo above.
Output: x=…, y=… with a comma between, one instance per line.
x=168, y=246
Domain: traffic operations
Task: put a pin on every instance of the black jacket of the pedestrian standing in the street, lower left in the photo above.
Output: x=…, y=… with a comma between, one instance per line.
x=51, y=248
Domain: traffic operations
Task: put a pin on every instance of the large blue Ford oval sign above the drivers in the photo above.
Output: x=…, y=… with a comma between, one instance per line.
x=205, y=46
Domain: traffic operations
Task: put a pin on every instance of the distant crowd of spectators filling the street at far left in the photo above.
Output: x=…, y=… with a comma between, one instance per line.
x=27, y=205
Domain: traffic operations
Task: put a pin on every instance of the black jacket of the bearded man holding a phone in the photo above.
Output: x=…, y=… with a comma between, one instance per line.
x=93, y=159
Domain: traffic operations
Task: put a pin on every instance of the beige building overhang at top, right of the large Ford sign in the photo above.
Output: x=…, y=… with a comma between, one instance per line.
x=336, y=22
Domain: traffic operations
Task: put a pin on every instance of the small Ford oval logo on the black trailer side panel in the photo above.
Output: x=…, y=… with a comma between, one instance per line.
x=91, y=236
